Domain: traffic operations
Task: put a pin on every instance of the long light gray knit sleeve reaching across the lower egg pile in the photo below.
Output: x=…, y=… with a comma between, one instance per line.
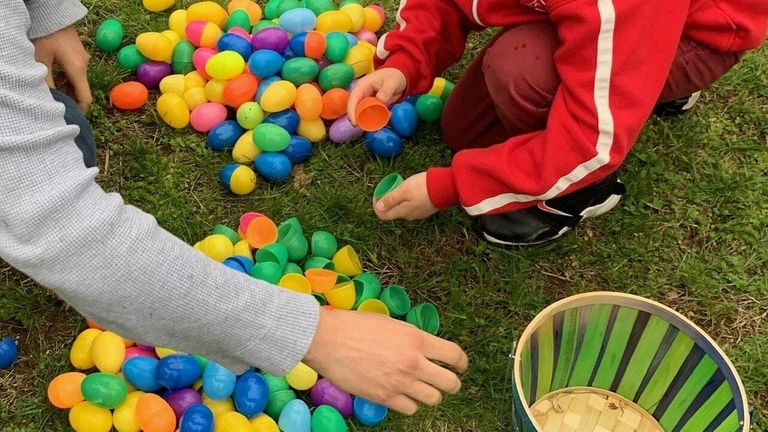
x=111, y=261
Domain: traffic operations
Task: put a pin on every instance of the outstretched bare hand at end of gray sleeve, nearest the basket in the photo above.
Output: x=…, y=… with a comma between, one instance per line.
x=385, y=360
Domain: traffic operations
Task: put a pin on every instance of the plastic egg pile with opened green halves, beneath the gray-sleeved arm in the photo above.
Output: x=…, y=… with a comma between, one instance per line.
x=131, y=387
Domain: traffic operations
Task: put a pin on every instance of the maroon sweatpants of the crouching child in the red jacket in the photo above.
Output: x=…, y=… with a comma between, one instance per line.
x=510, y=98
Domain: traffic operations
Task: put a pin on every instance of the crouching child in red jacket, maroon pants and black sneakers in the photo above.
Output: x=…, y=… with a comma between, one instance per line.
x=551, y=106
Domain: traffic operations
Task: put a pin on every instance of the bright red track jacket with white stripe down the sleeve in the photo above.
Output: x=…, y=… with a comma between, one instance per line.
x=614, y=59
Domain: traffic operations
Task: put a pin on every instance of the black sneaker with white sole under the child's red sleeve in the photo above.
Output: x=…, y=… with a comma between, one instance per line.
x=552, y=218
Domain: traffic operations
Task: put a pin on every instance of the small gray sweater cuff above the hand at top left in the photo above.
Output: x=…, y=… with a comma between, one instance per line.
x=49, y=16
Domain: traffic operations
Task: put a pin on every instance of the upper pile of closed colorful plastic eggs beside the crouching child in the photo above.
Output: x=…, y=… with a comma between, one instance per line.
x=265, y=85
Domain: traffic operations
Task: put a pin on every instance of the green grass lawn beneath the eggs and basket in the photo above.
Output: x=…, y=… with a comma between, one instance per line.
x=691, y=233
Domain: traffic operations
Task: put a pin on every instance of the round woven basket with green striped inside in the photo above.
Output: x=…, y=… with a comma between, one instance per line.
x=615, y=362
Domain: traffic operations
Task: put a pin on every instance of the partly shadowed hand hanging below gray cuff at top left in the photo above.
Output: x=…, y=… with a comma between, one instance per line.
x=64, y=50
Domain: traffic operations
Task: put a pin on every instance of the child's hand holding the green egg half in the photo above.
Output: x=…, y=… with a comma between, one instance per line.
x=409, y=201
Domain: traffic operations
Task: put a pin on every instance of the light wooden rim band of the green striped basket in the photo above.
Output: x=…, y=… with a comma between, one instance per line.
x=641, y=303
